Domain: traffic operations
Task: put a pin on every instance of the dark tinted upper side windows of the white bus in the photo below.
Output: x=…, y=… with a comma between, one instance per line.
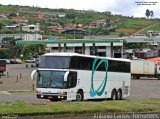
x=85, y=63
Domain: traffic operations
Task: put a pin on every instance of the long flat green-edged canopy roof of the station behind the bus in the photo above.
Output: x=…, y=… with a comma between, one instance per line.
x=71, y=41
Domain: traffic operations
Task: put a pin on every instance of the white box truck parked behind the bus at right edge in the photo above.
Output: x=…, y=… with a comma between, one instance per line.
x=143, y=68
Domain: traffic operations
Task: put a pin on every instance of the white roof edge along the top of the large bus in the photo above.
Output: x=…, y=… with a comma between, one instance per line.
x=82, y=55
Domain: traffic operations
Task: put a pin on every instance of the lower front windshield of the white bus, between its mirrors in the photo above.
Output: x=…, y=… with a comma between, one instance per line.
x=50, y=79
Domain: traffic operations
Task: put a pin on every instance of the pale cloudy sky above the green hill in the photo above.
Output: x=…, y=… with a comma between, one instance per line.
x=135, y=8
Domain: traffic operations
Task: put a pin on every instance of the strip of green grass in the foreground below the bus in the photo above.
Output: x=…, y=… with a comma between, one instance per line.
x=85, y=107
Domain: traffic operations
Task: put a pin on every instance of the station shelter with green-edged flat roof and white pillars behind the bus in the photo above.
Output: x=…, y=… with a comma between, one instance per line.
x=100, y=47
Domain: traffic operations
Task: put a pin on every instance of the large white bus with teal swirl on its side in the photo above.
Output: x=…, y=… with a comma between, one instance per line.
x=72, y=76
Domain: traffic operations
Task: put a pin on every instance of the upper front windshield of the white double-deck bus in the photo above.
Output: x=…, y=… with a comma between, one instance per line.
x=56, y=62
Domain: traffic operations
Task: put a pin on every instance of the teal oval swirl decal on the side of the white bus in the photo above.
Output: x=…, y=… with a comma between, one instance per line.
x=101, y=88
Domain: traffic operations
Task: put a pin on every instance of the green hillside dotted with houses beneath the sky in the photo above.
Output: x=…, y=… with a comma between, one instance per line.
x=77, y=18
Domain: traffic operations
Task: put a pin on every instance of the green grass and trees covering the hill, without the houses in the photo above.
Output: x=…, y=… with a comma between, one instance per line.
x=128, y=25
